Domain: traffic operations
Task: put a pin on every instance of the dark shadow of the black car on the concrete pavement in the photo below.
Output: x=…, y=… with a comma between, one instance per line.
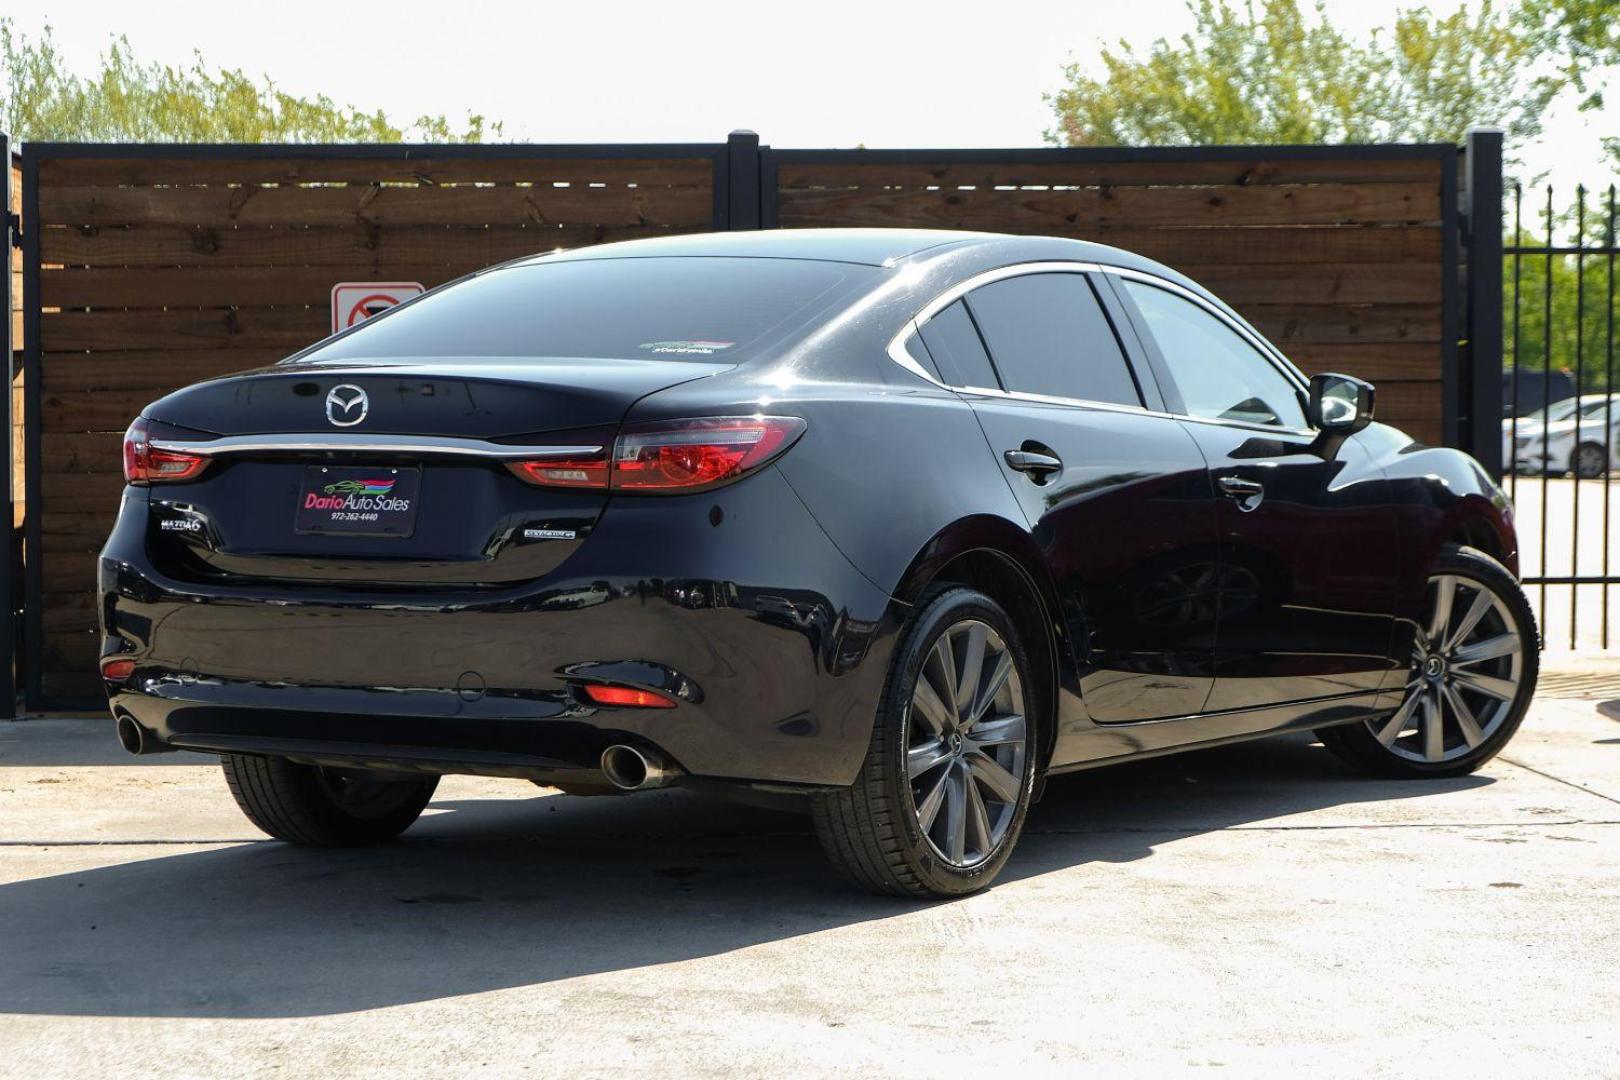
x=490, y=895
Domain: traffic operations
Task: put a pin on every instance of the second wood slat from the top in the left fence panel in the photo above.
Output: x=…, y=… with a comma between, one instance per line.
x=373, y=205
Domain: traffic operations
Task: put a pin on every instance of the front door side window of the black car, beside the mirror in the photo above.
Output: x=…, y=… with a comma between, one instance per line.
x=1221, y=376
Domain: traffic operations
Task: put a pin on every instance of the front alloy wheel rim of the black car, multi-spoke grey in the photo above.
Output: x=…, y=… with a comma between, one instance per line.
x=1469, y=661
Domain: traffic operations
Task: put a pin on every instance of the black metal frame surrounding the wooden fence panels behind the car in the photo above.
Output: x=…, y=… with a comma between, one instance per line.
x=746, y=198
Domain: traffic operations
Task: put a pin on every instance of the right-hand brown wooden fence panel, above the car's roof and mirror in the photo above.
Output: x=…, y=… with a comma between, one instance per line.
x=1339, y=260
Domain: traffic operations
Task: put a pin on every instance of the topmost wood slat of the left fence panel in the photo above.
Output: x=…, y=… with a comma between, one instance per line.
x=693, y=172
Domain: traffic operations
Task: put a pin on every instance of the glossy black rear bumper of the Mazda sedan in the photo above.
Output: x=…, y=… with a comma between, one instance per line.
x=731, y=603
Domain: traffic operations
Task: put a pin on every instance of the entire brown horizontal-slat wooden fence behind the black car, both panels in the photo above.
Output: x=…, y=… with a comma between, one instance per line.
x=158, y=266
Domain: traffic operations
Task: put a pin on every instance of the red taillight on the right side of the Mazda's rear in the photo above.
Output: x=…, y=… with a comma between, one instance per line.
x=673, y=457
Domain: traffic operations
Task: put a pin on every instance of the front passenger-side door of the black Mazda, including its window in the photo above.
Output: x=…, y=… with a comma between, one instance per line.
x=1308, y=537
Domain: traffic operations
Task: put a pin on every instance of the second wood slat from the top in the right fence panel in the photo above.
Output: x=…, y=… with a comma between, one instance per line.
x=1060, y=213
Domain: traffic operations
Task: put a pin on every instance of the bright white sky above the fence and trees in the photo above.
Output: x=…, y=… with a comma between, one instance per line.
x=804, y=75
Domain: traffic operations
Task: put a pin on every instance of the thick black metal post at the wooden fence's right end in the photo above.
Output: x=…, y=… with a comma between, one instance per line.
x=1483, y=330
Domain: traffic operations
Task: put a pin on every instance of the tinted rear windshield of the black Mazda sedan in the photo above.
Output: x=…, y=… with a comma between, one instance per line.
x=663, y=308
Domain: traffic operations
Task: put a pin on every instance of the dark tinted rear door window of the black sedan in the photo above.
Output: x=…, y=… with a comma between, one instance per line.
x=1049, y=334
